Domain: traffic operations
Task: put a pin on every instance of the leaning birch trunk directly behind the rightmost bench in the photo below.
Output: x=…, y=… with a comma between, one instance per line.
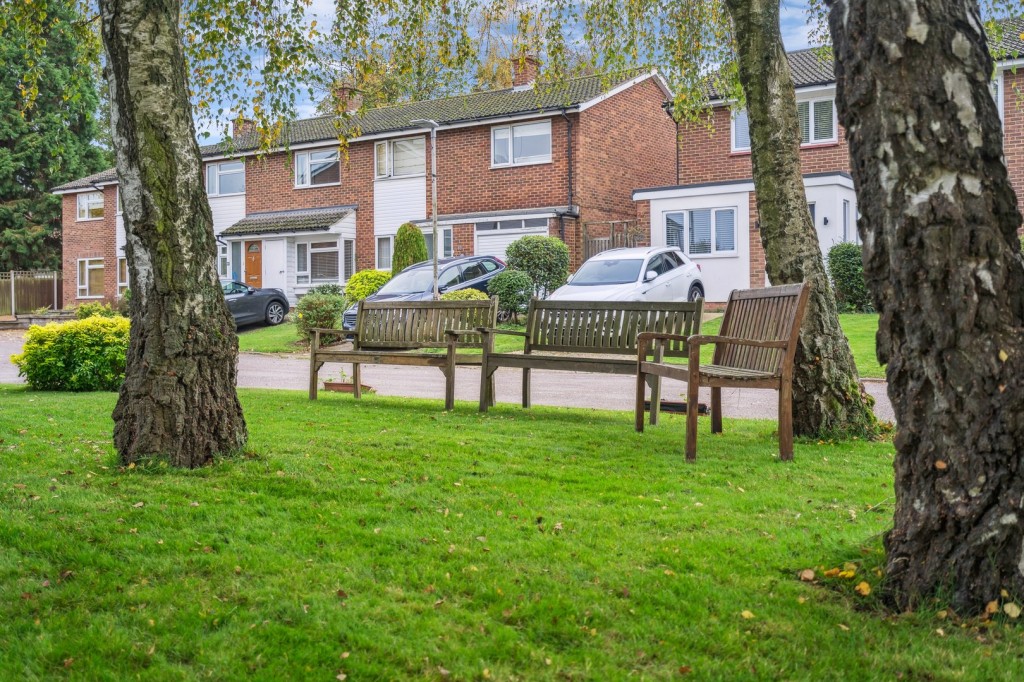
x=828, y=396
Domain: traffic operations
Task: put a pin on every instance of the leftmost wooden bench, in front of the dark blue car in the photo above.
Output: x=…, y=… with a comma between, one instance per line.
x=399, y=333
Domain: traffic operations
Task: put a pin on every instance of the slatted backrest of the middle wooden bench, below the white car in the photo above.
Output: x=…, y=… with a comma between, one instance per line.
x=591, y=327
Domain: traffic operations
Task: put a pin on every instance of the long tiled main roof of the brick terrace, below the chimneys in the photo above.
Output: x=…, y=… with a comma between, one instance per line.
x=447, y=111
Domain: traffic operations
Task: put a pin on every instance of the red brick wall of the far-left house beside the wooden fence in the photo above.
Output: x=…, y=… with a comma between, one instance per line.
x=90, y=239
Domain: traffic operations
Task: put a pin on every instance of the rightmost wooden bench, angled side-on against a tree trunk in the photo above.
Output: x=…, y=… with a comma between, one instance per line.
x=754, y=350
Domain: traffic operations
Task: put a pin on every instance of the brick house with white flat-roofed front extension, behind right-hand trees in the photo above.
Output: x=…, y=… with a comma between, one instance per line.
x=711, y=211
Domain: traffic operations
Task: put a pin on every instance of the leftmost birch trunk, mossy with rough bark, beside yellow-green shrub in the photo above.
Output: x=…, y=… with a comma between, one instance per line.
x=179, y=400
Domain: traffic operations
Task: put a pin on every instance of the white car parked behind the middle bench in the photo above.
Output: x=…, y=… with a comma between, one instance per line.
x=646, y=274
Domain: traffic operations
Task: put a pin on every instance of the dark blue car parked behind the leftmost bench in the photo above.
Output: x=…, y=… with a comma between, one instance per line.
x=416, y=283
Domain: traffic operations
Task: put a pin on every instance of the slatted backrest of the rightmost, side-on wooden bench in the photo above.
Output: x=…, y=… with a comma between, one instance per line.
x=774, y=314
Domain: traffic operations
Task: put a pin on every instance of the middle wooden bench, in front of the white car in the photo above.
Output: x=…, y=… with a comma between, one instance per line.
x=586, y=336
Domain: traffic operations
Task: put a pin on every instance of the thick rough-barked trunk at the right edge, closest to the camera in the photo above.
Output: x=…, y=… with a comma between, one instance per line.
x=942, y=258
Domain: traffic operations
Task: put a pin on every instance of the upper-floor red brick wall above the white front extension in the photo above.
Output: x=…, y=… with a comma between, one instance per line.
x=706, y=155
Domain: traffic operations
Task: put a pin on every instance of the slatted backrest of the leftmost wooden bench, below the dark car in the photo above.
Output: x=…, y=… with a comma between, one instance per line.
x=421, y=324
